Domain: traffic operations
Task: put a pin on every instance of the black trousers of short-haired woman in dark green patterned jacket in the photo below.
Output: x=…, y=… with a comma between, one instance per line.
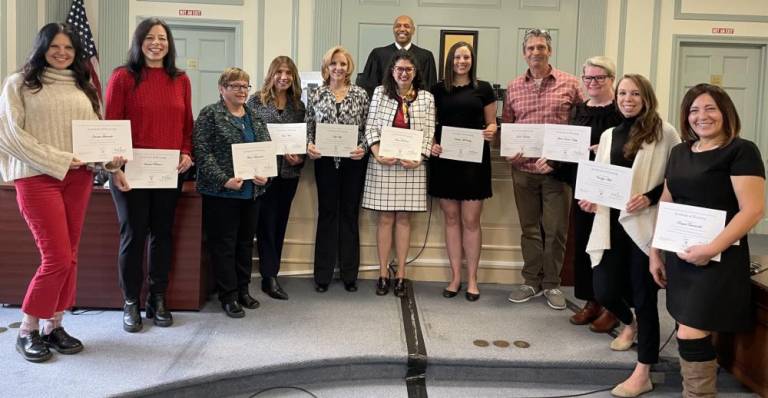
x=230, y=225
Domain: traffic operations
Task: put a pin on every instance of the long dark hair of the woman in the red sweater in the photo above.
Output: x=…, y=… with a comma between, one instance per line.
x=136, y=62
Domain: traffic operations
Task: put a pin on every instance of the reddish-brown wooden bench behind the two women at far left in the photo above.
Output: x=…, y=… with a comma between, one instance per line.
x=97, y=280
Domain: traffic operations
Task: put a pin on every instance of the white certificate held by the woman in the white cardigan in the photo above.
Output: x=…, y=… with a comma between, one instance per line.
x=604, y=184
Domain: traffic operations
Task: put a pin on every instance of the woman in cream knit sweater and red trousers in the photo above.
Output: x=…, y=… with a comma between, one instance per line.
x=53, y=187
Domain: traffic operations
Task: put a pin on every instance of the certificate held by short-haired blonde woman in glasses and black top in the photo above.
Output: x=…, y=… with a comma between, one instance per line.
x=566, y=143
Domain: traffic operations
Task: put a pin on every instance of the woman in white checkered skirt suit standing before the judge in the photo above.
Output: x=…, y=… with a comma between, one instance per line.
x=397, y=187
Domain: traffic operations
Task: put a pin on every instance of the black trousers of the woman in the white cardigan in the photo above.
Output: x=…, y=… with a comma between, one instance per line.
x=623, y=280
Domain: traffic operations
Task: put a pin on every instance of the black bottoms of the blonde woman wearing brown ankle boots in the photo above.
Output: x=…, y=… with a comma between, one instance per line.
x=582, y=266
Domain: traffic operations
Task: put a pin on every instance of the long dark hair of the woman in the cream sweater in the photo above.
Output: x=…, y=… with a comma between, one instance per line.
x=36, y=63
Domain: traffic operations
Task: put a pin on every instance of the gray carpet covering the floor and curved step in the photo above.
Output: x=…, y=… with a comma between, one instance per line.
x=337, y=344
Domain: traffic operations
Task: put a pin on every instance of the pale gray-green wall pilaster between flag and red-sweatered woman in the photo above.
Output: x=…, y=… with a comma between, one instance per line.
x=114, y=39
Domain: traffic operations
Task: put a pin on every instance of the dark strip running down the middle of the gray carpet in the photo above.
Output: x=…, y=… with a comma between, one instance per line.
x=415, y=378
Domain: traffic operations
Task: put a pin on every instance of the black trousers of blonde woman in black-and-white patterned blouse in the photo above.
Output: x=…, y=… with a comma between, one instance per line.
x=339, y=192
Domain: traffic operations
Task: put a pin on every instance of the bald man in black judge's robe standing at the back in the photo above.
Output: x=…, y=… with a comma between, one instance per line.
x=379, y=58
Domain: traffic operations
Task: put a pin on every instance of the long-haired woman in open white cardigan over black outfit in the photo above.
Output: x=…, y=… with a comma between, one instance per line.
x=620, y=240
